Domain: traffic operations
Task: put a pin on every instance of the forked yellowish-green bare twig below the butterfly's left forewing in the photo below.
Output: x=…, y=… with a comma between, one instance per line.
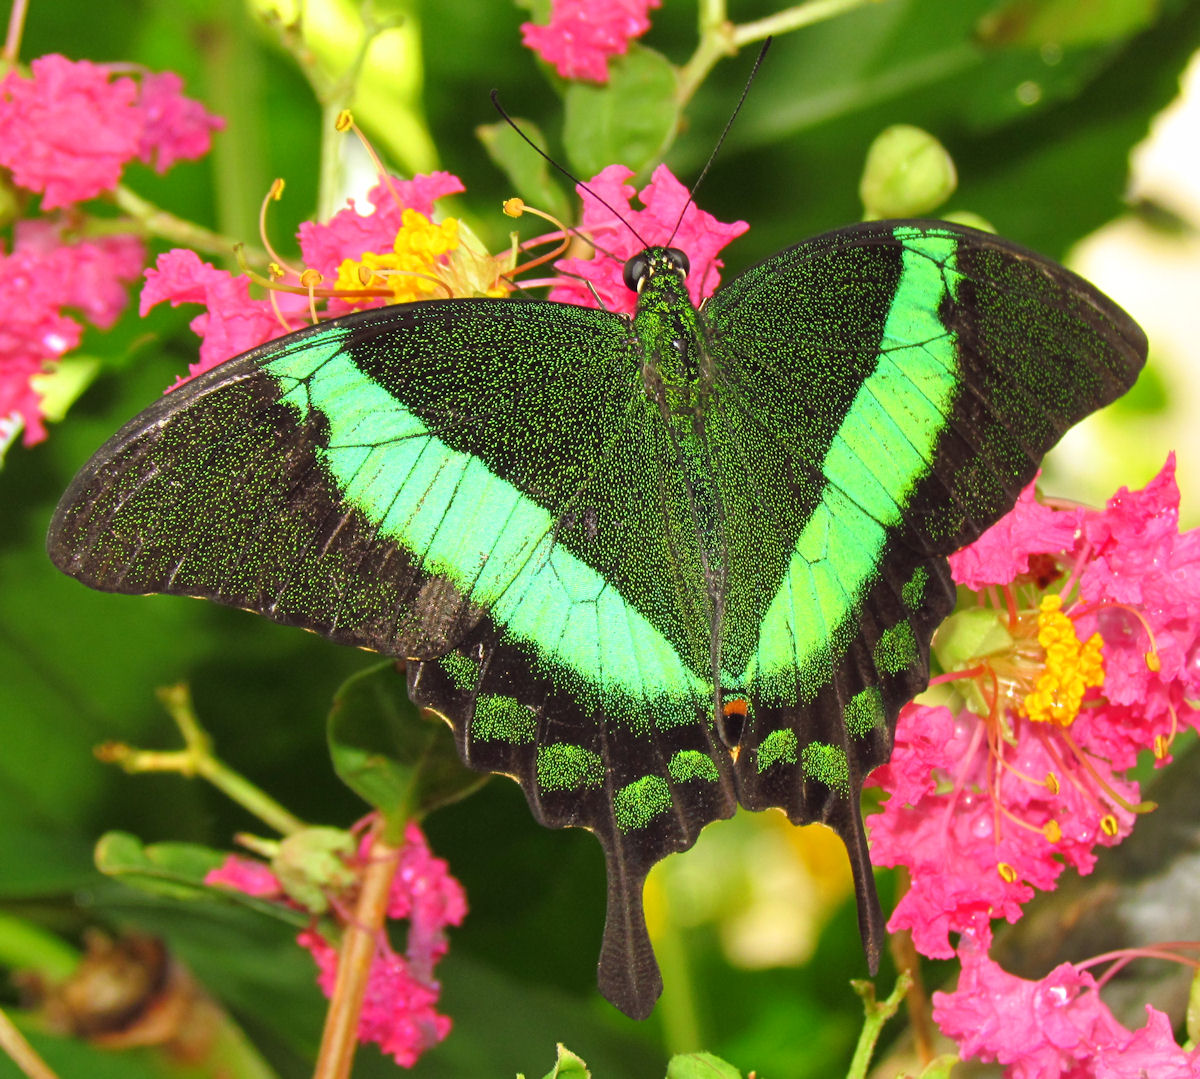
x=199, y=760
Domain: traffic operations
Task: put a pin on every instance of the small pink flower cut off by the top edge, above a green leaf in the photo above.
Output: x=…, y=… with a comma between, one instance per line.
x=584, y=34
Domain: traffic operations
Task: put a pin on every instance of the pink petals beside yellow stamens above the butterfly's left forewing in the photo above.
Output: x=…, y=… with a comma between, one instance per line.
x=236, y=322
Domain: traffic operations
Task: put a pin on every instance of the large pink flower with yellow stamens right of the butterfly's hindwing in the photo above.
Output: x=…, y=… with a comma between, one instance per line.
x=1059, y=692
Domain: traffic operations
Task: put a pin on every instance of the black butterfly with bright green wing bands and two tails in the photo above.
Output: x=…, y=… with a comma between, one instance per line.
x=655, y=567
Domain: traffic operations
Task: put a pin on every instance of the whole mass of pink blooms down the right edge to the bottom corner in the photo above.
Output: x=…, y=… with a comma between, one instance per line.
x=988, y=805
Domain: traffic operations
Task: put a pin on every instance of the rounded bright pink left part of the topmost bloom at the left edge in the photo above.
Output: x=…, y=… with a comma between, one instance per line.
x=68, y=131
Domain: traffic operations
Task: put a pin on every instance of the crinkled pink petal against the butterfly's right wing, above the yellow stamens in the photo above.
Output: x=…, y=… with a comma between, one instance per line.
x=1004, y=552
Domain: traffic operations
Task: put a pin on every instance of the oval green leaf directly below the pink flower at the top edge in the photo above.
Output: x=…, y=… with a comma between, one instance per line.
x=633, y=121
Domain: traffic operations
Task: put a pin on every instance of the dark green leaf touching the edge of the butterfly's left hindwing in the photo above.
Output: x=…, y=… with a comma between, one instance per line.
x=383, y=750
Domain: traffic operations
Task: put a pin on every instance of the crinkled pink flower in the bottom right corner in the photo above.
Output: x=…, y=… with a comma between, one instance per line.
x=1058, y=1027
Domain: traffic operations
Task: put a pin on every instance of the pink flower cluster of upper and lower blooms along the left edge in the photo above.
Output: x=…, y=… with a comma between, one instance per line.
x=69, y=131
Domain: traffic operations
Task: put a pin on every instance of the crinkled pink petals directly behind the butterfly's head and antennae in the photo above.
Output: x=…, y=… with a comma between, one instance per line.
x=664, y=200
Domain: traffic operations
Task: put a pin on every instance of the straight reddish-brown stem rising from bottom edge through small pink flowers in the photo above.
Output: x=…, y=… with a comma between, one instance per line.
x=359, y=943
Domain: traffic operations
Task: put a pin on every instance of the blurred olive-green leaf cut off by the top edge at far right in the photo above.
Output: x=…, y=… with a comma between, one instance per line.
x=1063, y=25
